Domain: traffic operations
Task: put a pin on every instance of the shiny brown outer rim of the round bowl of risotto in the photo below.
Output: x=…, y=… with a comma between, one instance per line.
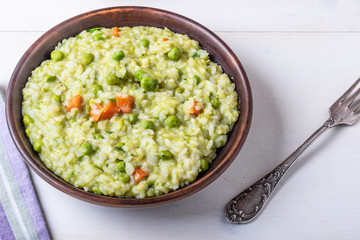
x=244, y=121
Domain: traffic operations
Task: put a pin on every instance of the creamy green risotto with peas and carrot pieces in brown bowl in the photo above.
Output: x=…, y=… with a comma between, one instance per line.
x=128, y=112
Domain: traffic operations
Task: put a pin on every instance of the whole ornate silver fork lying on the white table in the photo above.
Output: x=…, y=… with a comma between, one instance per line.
x=249, y=203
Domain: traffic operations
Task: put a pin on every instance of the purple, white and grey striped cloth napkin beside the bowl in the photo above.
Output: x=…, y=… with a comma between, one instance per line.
x=20, y=214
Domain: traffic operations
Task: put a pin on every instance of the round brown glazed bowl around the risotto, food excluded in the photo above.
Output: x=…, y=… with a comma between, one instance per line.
x=129, y=16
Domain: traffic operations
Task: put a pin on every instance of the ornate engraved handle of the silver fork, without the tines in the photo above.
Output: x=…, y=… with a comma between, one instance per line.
x=249, y=203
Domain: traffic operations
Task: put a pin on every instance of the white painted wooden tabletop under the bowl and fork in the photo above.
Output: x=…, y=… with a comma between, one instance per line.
x=299, y=57
